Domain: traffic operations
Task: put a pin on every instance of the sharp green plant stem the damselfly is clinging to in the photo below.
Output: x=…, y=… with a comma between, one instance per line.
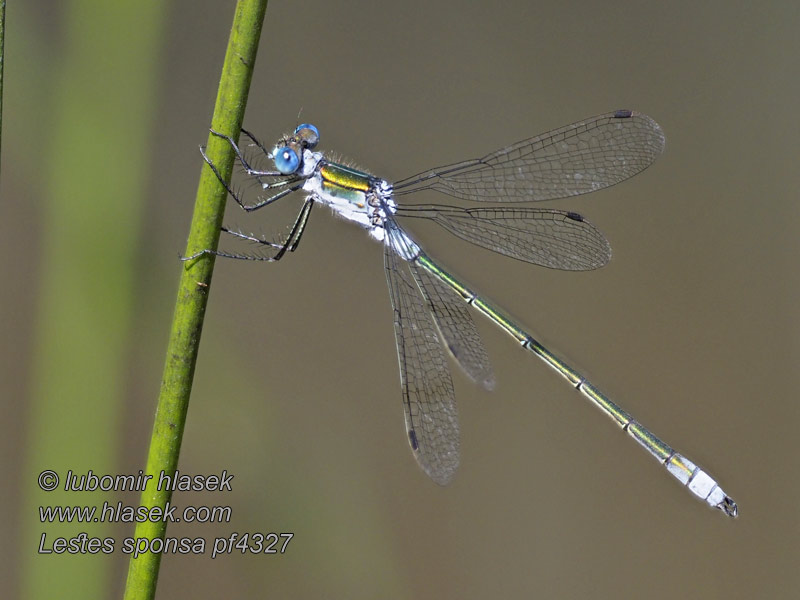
x=176, y=385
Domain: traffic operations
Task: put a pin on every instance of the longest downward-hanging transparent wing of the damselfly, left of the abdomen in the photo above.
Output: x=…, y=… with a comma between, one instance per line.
x=428, y=395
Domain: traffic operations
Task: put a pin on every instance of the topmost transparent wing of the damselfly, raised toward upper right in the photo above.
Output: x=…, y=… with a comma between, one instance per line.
x=575, y=159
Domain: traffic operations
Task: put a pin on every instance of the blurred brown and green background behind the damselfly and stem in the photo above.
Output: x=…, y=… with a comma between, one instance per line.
x=693, y=326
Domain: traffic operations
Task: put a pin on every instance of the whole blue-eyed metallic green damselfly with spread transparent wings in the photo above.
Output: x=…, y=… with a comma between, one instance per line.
x=430, y=304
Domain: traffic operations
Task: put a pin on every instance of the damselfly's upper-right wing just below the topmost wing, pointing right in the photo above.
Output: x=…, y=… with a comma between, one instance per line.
x=551, y=238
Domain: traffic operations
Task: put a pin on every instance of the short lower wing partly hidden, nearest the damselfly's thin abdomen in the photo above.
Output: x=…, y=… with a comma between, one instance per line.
x=456, y=327
